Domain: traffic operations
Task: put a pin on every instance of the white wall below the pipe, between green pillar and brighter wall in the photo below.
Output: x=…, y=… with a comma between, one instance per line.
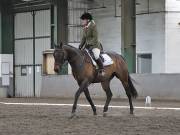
x=150, y=39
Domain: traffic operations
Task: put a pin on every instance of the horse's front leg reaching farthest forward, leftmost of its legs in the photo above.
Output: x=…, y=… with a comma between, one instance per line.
x=82, y=87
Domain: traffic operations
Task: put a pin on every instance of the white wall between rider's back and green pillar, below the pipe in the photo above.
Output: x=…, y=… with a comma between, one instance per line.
x=109, y=29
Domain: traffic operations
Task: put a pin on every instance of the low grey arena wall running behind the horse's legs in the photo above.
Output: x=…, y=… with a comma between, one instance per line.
x=158, y=86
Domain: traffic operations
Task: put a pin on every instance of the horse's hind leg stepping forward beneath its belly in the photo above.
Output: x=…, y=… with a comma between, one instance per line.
x=106, y=88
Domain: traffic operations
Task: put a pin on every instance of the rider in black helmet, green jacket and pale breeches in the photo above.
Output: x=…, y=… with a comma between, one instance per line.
x=90, y=39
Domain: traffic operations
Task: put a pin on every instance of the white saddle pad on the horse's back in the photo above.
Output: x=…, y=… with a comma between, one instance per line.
x=107, y=59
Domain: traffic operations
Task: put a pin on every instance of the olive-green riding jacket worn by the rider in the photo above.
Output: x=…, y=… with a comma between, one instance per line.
x=90, y=37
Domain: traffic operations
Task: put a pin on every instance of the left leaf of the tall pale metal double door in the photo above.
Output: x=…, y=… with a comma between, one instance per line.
x=23, y=49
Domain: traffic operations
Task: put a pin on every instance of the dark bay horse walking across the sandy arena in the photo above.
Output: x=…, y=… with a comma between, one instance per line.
x=85, y=73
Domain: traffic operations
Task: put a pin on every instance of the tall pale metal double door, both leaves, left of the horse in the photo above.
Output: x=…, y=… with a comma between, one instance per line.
x=32, y=32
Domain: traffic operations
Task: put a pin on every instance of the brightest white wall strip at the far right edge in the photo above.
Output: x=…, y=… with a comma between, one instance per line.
x=172, y=36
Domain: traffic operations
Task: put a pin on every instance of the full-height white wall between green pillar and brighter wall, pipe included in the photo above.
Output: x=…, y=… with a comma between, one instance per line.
x=150, y=24
